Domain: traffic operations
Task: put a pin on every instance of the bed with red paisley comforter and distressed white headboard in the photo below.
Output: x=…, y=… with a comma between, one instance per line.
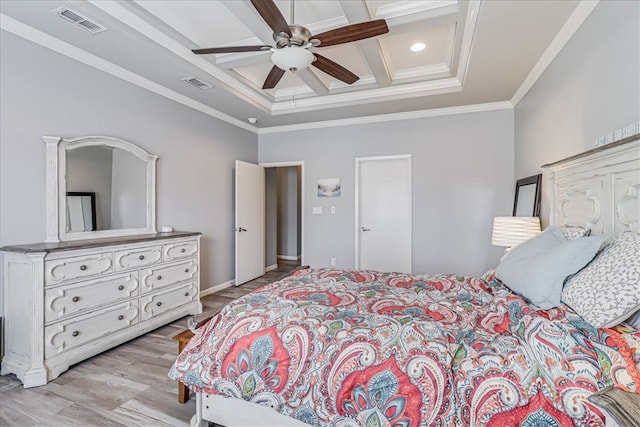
x=350, y=348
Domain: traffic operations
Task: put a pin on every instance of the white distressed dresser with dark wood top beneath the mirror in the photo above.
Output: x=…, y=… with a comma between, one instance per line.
x=67, y=301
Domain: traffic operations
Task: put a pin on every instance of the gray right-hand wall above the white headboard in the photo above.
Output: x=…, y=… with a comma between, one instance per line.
x=590, y=89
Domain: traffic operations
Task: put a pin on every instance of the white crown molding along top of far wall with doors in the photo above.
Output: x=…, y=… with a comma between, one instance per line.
x=463, y=109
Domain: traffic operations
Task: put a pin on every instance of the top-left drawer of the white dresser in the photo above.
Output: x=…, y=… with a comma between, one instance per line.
x=78, y=267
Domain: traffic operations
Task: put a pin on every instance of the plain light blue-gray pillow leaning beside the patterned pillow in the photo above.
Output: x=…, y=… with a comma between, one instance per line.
x=537, y=268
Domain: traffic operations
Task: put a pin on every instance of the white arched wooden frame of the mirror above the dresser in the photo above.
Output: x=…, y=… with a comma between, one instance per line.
x=56, y=186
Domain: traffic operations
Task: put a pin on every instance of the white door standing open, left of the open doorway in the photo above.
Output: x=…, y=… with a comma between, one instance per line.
x=250, y=219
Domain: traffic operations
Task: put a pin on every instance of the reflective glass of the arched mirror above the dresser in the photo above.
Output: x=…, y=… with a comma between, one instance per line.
x=119, y=181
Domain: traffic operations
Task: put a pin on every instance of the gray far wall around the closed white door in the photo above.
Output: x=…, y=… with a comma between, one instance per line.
x=462, y=177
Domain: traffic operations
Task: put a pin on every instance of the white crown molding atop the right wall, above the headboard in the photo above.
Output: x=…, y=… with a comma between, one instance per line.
x=575, y=21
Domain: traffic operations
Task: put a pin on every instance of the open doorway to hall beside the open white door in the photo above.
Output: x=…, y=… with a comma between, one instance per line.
x=284, y=196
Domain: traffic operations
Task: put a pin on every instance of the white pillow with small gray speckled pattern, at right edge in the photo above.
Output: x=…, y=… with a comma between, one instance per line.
x=607, y=291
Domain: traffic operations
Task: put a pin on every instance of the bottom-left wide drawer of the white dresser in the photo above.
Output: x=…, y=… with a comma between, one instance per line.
x=77, y=331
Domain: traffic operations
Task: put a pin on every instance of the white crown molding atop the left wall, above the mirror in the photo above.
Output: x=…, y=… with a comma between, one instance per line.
x=36, y=36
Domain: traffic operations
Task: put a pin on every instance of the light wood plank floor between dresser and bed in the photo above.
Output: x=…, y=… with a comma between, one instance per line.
x=125, y=386
